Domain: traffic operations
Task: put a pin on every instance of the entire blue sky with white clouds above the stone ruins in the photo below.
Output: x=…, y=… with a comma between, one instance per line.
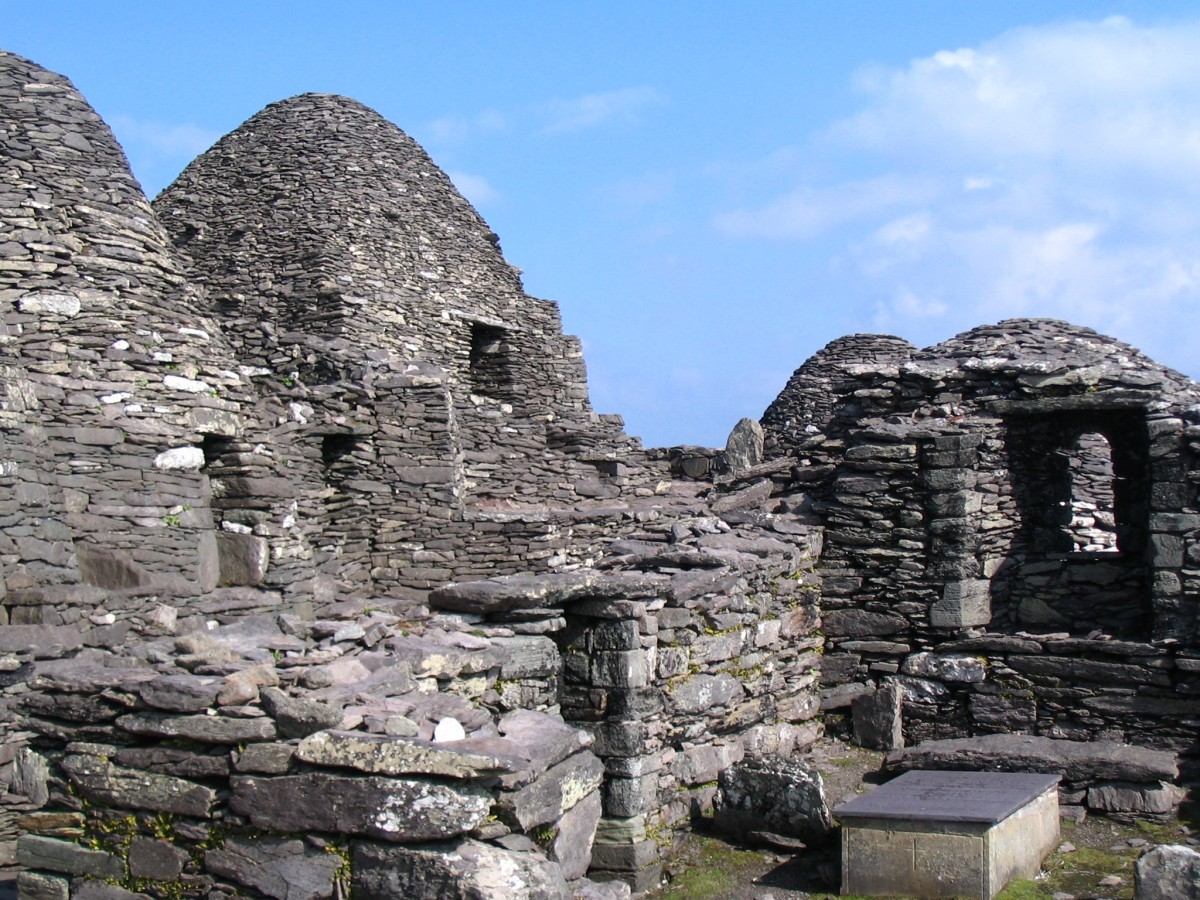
x=712, y=191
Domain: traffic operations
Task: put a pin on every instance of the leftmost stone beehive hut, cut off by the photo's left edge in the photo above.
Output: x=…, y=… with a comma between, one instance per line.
x=112, y=374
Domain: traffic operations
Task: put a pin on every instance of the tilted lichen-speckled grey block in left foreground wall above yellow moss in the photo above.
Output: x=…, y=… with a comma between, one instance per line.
x=101, y=782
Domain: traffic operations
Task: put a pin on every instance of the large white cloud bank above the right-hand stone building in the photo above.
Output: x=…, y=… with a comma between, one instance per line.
x=1053, y=171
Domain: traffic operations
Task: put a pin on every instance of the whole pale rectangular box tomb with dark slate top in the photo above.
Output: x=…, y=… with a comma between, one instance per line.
x=937, y=833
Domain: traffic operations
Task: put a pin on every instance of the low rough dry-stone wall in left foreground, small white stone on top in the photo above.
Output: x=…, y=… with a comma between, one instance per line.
x=301, y=759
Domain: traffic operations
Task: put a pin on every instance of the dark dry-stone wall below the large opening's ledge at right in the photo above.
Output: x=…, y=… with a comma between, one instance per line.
x=1055, y=686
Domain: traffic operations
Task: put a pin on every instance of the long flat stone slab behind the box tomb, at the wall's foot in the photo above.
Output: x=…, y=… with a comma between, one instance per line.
x=1077, y=761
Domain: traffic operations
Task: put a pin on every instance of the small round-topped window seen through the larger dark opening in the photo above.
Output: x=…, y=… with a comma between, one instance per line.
x=1090, y=511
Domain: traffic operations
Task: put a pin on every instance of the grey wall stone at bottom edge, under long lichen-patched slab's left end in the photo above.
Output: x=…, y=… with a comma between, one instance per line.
x=280, y=869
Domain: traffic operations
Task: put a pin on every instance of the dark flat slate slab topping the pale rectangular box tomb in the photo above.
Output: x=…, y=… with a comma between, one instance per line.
x=935, y=796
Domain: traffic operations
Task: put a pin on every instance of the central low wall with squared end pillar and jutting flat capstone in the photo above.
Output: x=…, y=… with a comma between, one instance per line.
x=692, y=650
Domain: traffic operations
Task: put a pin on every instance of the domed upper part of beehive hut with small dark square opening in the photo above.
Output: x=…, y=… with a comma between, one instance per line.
x=320, y=223
